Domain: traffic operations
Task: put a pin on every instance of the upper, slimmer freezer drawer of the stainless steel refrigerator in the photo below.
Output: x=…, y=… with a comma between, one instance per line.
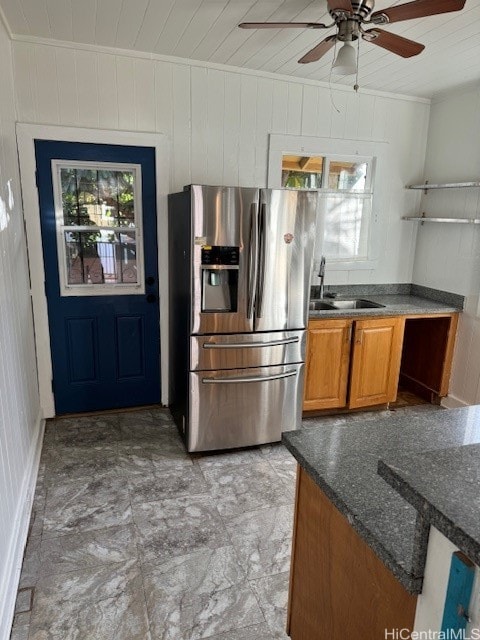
x=239, y=351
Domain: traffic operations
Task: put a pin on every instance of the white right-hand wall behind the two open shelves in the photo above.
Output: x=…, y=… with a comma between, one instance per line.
x=448, y=256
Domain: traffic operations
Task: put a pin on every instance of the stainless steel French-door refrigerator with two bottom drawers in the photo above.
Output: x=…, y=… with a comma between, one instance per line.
x=240, y=262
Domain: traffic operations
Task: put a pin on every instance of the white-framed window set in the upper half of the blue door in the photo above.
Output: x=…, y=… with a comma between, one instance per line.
x=99, y=227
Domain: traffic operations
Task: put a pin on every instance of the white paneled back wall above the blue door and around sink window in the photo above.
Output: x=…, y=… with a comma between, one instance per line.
x=219, y=120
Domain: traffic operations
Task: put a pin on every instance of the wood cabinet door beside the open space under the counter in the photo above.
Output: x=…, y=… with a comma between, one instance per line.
x=376, y=357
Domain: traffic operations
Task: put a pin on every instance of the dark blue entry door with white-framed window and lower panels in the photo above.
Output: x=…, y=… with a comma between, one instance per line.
x=99, y=236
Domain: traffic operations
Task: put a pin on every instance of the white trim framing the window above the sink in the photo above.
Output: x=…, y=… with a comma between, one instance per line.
x=280, y=145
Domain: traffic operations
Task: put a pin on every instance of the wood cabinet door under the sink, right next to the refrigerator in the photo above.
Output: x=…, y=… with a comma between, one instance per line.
x=328, y=355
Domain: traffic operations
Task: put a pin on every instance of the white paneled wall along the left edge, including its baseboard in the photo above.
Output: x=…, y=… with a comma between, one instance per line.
x=20, y=426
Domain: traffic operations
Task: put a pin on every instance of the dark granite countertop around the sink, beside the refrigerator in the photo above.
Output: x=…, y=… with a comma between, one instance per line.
x=397, y=300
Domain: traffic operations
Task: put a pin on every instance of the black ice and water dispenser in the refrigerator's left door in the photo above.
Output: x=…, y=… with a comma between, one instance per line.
x=219, y=278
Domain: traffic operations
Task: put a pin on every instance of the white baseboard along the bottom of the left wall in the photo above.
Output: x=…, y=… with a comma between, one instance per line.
x=13, y=565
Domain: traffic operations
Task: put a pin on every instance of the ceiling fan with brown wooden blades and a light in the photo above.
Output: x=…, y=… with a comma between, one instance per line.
x=350, y=16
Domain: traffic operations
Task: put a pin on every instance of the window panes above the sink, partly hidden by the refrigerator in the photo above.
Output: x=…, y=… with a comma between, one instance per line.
x=344, y=185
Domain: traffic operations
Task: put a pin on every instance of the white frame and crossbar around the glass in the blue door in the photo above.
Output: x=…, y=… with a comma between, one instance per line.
x=79, y=290
